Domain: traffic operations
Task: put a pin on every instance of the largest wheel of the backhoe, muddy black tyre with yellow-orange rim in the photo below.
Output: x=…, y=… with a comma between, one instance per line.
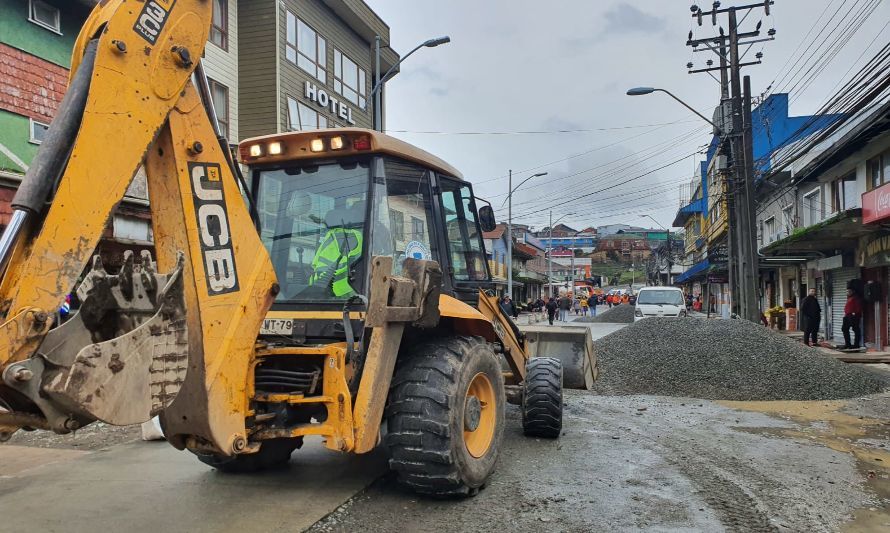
x=445, y=416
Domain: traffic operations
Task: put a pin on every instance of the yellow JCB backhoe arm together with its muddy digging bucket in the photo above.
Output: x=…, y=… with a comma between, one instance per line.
x=143, y=342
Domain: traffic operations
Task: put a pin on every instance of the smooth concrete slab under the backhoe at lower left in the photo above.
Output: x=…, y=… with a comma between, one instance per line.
x=151, y=487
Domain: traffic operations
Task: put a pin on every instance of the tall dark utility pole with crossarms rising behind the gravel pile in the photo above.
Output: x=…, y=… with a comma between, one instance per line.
x=742, y=263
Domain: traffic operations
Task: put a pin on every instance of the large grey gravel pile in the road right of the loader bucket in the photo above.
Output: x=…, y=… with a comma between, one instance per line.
x=723, y=360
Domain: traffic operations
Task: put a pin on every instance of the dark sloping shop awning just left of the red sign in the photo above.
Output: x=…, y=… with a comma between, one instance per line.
x=839, y=233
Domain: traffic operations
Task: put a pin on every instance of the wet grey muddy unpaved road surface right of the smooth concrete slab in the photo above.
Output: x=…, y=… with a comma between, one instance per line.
x=663, y=464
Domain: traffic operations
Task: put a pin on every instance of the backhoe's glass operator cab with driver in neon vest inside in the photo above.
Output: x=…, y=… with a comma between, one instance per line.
x=326, y=201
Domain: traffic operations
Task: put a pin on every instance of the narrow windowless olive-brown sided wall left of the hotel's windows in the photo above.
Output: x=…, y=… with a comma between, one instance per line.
x=257, y=64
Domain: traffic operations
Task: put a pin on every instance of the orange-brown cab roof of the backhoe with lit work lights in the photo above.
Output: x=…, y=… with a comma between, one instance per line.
x=380, y=143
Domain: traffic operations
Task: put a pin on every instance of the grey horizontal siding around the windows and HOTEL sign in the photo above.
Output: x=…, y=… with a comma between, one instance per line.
x=337, y=35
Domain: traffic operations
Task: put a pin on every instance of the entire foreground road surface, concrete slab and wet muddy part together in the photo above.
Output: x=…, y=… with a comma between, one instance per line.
x=630, y=463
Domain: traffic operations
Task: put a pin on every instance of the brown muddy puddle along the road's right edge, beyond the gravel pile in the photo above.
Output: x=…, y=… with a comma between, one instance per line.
x=825, y=423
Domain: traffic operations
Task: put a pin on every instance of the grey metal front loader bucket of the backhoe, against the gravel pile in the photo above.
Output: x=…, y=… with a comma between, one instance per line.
x=573, y=345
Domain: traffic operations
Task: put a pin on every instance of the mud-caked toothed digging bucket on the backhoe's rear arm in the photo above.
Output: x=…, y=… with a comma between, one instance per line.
x=123, y=357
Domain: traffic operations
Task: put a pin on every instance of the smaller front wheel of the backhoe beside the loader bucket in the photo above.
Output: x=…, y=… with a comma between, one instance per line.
x=542, y=398
